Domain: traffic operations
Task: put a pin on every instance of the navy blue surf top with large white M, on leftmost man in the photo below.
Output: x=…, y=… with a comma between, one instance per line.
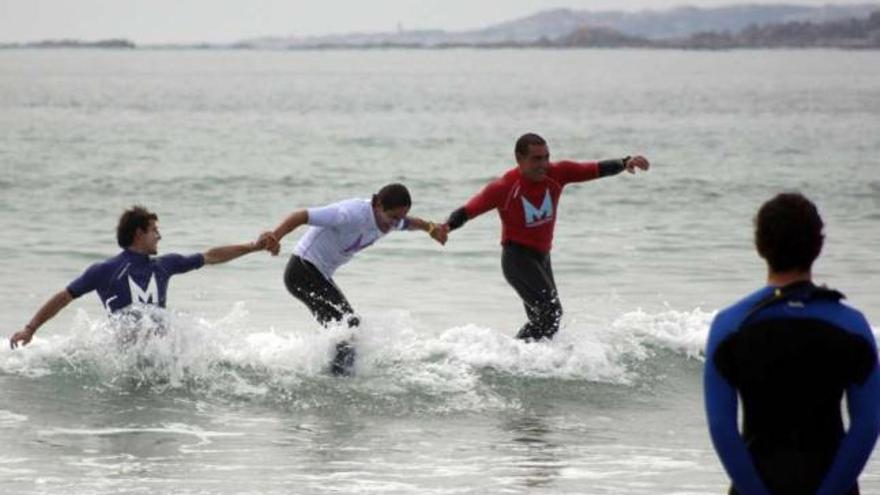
x=133, y=278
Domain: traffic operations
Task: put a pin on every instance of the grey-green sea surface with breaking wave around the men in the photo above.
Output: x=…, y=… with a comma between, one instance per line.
x=224, y=144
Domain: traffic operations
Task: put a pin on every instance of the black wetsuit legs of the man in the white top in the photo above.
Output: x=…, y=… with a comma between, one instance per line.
x=326, y=302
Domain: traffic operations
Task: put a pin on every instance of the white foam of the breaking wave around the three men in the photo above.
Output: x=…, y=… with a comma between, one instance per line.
x=397, y=365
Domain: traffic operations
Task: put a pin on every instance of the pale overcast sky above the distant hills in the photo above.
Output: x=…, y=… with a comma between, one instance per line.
x=155, y=21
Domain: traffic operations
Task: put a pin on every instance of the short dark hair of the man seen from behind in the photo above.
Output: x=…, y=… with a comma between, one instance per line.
x=788, y=232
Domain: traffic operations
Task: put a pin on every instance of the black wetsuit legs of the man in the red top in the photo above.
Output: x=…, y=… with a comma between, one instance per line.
x=531, y=276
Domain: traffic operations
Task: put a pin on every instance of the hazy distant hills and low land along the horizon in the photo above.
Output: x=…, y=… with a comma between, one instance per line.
x=742, y=26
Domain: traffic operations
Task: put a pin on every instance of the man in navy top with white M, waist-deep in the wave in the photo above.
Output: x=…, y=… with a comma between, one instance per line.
x=133, y=276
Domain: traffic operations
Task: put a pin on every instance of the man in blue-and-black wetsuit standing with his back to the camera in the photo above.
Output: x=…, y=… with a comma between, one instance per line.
x=790, y=351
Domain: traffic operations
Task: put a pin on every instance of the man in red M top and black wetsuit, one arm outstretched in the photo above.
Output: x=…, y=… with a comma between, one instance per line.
x=526, y=198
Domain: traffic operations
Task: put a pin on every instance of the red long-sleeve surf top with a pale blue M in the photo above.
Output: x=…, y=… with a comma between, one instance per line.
x=527, y=208
